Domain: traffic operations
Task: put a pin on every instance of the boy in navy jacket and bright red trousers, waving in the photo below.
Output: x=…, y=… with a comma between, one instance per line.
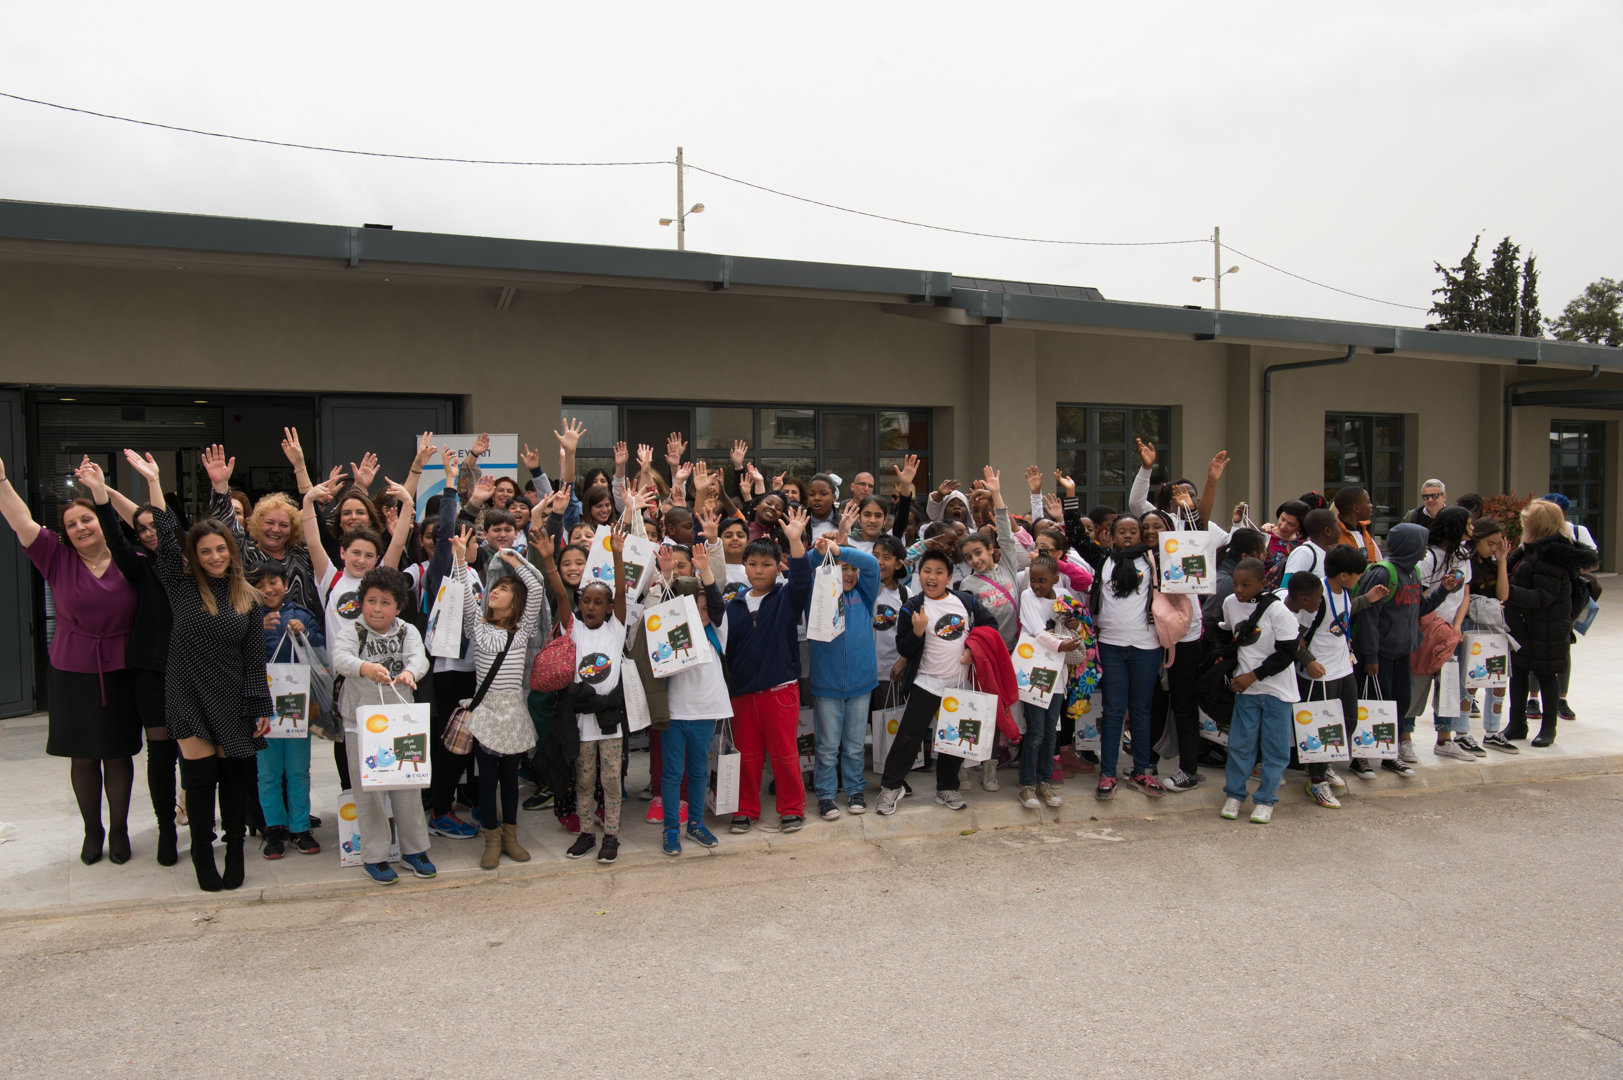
x=764, y=675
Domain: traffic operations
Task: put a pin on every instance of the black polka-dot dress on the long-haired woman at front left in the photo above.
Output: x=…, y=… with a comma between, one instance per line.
x=215, y=686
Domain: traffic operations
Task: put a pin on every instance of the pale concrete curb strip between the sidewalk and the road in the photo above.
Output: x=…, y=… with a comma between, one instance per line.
x=916, y=819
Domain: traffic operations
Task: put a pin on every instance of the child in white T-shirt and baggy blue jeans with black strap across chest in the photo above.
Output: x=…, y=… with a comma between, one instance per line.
x=1267, y=637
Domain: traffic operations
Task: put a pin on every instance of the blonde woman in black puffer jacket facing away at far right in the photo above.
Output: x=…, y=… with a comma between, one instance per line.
x=1544, y=600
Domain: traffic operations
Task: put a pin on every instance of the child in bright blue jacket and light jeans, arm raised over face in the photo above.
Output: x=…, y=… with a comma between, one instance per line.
x=845, y=675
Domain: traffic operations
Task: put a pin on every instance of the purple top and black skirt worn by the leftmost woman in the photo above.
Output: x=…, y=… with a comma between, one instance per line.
x=92, y=693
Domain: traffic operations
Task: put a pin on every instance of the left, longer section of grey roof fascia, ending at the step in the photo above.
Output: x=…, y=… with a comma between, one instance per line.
x=199, y=233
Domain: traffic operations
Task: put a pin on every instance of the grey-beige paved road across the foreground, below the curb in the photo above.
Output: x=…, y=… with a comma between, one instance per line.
x=1466, y=933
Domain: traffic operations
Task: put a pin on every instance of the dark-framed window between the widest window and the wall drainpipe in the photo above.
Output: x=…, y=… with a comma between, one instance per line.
x=1096, y=449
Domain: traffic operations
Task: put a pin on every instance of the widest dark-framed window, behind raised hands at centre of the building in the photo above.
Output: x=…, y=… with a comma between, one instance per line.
x=798, y=441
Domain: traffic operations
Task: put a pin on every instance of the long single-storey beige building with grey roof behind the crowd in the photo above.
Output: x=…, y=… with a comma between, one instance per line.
x=170, y=332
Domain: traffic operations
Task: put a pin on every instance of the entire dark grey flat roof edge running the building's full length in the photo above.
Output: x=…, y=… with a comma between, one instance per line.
x=1061, y=308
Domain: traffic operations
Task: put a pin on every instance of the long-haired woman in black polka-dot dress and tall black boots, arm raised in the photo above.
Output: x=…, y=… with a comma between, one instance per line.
x=215, y=694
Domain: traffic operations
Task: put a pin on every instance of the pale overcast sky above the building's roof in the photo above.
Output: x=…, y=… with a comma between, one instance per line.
x=1351, y=144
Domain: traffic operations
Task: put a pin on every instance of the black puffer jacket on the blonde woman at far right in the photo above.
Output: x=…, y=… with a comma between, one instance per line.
x=1544, y=600
